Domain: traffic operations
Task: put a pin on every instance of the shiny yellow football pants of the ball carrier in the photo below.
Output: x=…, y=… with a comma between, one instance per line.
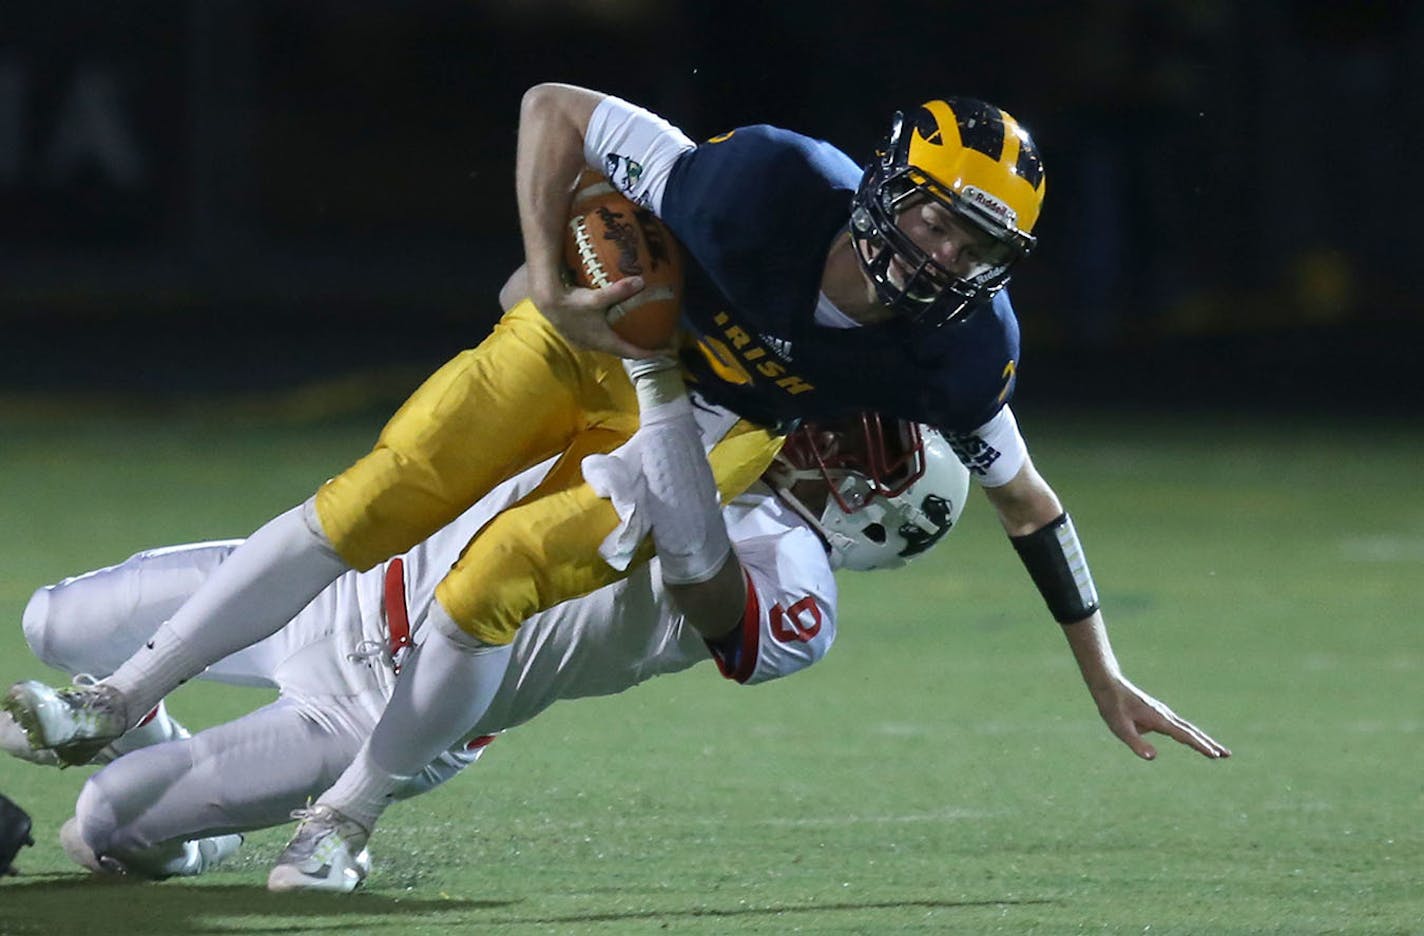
x=522, y=397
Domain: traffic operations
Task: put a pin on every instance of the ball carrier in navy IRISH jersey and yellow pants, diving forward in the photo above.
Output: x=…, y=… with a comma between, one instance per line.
x=814, y=288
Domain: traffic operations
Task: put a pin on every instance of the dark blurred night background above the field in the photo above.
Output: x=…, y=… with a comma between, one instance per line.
x=247, y=196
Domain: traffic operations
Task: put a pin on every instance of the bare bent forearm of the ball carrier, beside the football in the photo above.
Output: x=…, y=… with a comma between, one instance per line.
x=550, y=156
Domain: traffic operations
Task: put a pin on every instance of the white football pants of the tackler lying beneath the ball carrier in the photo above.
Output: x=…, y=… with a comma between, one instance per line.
x=241, y=776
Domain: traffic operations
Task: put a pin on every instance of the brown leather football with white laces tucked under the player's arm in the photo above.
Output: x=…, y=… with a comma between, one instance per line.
x=612, y=239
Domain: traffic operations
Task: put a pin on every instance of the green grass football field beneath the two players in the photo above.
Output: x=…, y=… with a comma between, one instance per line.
x=942, y=771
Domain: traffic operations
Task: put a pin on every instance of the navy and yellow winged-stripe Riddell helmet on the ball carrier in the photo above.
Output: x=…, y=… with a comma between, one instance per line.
x=980, y=165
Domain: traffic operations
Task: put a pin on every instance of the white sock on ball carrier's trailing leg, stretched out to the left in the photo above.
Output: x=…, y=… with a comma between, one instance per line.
x=253, y=595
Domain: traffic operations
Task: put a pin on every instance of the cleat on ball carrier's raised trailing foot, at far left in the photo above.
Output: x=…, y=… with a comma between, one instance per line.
x=76, y=722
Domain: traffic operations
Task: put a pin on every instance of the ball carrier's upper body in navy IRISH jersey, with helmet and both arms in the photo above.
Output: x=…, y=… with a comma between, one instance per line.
x=817, y=286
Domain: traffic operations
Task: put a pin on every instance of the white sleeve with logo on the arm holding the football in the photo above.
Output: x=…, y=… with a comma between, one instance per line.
x=634, y=149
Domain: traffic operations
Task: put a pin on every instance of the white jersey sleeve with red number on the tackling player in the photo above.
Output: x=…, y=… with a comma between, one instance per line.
x=790, y=620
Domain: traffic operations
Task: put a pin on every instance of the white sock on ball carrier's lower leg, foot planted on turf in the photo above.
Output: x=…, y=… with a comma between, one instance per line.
x=445, y=689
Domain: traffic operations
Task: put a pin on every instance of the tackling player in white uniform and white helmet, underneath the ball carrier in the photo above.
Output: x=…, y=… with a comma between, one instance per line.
x=179, y=806
